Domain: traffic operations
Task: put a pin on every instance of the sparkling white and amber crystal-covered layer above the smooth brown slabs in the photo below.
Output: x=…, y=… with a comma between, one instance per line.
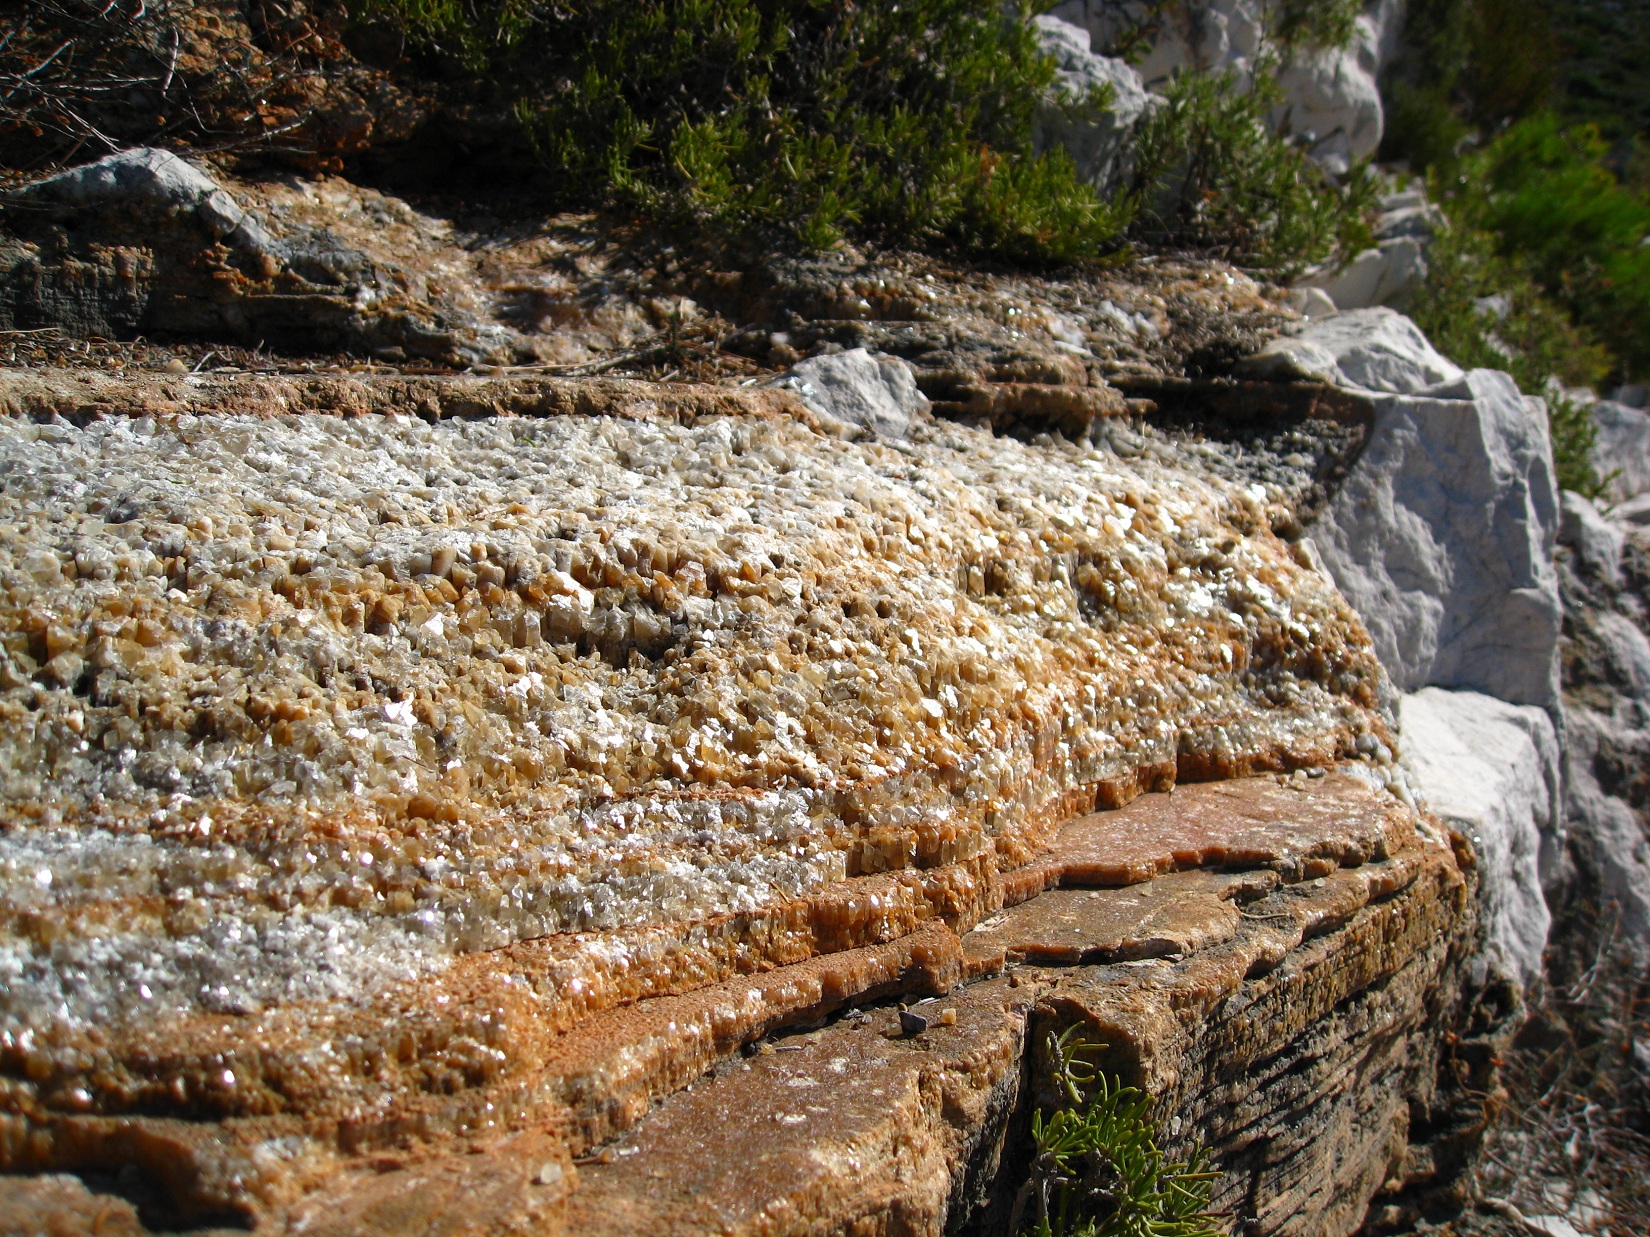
x=341, y=753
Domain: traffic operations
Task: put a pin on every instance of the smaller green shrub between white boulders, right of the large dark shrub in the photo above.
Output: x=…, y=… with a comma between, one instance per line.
x=1212, y=176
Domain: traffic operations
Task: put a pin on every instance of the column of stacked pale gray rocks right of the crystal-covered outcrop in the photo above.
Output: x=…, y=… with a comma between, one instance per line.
x=1443, y=537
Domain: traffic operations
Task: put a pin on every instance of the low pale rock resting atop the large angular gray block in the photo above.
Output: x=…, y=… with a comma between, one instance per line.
x=1372, y=349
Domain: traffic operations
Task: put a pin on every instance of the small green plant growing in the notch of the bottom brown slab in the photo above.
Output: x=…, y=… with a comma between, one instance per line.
x=1100, y=1172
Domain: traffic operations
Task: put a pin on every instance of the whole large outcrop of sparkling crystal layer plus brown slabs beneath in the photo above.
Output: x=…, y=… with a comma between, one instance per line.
x=402, y=804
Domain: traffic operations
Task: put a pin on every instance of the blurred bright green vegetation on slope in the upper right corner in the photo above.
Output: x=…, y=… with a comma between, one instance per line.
x=1496, y=103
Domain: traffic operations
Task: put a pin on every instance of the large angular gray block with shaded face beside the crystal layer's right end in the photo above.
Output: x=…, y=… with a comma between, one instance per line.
x=1443, y=539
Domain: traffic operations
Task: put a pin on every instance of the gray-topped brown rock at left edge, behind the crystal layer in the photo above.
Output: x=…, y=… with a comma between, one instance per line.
x=144, y=242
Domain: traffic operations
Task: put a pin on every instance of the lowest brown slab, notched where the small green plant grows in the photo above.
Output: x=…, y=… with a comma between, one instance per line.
x=857, y=1127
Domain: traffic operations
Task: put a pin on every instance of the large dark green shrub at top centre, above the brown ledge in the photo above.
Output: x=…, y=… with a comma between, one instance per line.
x=902, y=123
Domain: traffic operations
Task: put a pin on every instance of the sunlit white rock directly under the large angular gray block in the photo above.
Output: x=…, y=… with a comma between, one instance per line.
x=1492, y=771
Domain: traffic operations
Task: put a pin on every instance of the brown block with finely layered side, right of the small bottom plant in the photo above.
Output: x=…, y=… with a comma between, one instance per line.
x=1298, y=1065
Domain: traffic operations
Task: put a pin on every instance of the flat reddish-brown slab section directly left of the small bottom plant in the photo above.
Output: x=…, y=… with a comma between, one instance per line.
x=859, y=1131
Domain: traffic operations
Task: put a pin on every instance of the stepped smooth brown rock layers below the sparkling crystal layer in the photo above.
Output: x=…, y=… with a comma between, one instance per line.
x=1243, y=997
